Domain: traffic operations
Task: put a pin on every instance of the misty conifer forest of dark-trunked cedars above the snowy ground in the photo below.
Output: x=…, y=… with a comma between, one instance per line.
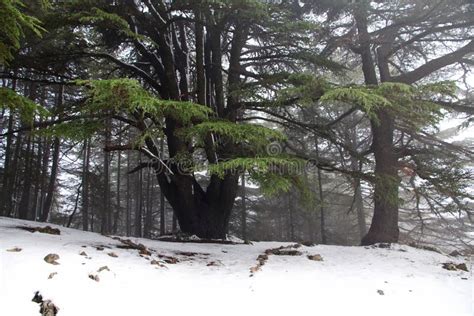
x=332, y=122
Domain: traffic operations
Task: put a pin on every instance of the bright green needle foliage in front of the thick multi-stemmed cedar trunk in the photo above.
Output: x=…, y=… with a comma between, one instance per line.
x=127, y=97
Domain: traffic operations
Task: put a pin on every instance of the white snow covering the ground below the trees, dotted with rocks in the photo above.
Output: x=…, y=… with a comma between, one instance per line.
x=344, y=283
